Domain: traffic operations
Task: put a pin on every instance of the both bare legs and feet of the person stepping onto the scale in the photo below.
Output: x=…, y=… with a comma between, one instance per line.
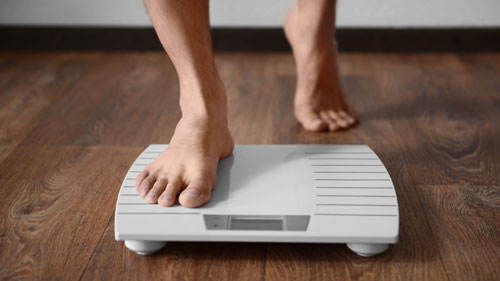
x=186, y=170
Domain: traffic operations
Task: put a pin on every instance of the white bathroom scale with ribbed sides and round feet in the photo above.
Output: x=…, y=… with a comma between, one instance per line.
x=273, y=193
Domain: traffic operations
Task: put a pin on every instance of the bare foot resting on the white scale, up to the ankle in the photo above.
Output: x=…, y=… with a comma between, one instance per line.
x=187, y=168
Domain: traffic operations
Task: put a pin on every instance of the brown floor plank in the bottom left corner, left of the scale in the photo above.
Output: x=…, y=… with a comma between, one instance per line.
x=54, y=212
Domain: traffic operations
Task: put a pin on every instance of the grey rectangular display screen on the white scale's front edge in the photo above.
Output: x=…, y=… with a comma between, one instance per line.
x=257, y=222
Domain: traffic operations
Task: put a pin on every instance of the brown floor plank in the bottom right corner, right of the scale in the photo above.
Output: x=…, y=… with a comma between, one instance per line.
x=466, y=223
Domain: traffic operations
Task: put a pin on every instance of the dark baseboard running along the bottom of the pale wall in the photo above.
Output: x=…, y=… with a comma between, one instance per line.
x=251, y=39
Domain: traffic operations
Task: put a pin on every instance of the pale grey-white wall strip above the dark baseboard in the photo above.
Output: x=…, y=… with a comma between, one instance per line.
x=257, y=13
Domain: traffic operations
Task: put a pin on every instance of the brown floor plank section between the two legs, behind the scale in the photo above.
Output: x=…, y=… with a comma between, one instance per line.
x=250, y=85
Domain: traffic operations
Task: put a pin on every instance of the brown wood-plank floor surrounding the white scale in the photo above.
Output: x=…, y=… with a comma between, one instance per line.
x=72, y=123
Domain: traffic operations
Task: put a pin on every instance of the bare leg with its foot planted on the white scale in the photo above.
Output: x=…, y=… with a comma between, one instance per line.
x=187, y=168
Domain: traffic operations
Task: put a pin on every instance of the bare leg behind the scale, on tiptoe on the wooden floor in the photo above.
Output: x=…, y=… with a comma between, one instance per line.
x=320, y=102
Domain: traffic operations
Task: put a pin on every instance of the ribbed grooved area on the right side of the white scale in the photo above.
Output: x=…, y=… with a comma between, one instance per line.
x=354, y=176
